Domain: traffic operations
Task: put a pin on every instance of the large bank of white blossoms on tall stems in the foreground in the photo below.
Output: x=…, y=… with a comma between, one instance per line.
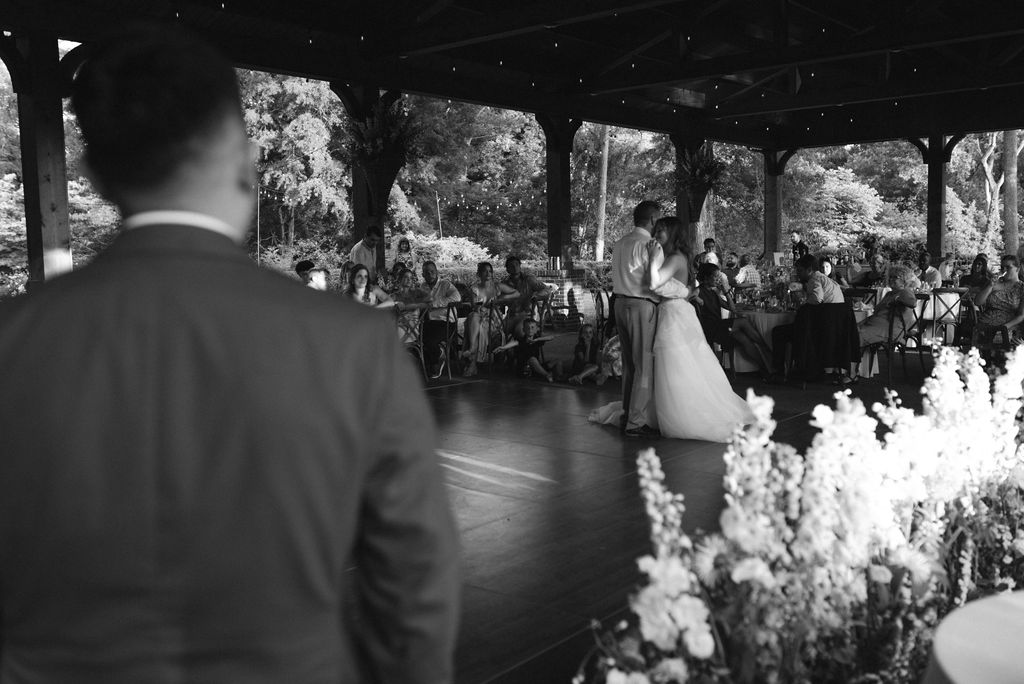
x=835, y=566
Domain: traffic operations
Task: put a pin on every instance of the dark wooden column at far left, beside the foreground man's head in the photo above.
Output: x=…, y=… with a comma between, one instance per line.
x=40, y=88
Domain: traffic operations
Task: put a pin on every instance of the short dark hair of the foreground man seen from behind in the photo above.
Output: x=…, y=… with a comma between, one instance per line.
x=150, y=100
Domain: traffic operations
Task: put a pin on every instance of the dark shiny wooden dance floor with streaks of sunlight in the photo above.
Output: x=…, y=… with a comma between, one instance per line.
x=549, y=509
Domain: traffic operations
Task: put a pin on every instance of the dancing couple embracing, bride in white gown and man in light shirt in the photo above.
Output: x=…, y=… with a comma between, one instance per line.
x=672, y=382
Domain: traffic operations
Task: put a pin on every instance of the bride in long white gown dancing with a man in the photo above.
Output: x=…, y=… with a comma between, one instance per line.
x=693, y=396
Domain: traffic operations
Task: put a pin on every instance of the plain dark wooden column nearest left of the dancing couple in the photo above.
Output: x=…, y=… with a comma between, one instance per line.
x=559, y=135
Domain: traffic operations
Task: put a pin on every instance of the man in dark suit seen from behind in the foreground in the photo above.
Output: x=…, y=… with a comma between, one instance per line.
x=208, y=473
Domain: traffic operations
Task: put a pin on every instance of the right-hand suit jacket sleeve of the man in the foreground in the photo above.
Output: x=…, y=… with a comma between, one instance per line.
x=407, y=555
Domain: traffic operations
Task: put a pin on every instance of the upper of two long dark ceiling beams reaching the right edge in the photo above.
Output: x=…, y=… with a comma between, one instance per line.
x=994, y=27
